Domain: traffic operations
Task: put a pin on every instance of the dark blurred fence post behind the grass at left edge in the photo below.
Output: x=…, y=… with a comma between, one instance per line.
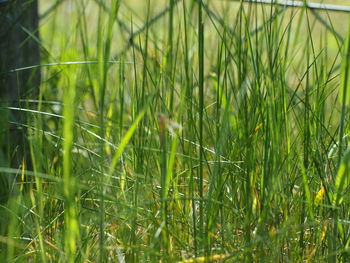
x=19, y=47
